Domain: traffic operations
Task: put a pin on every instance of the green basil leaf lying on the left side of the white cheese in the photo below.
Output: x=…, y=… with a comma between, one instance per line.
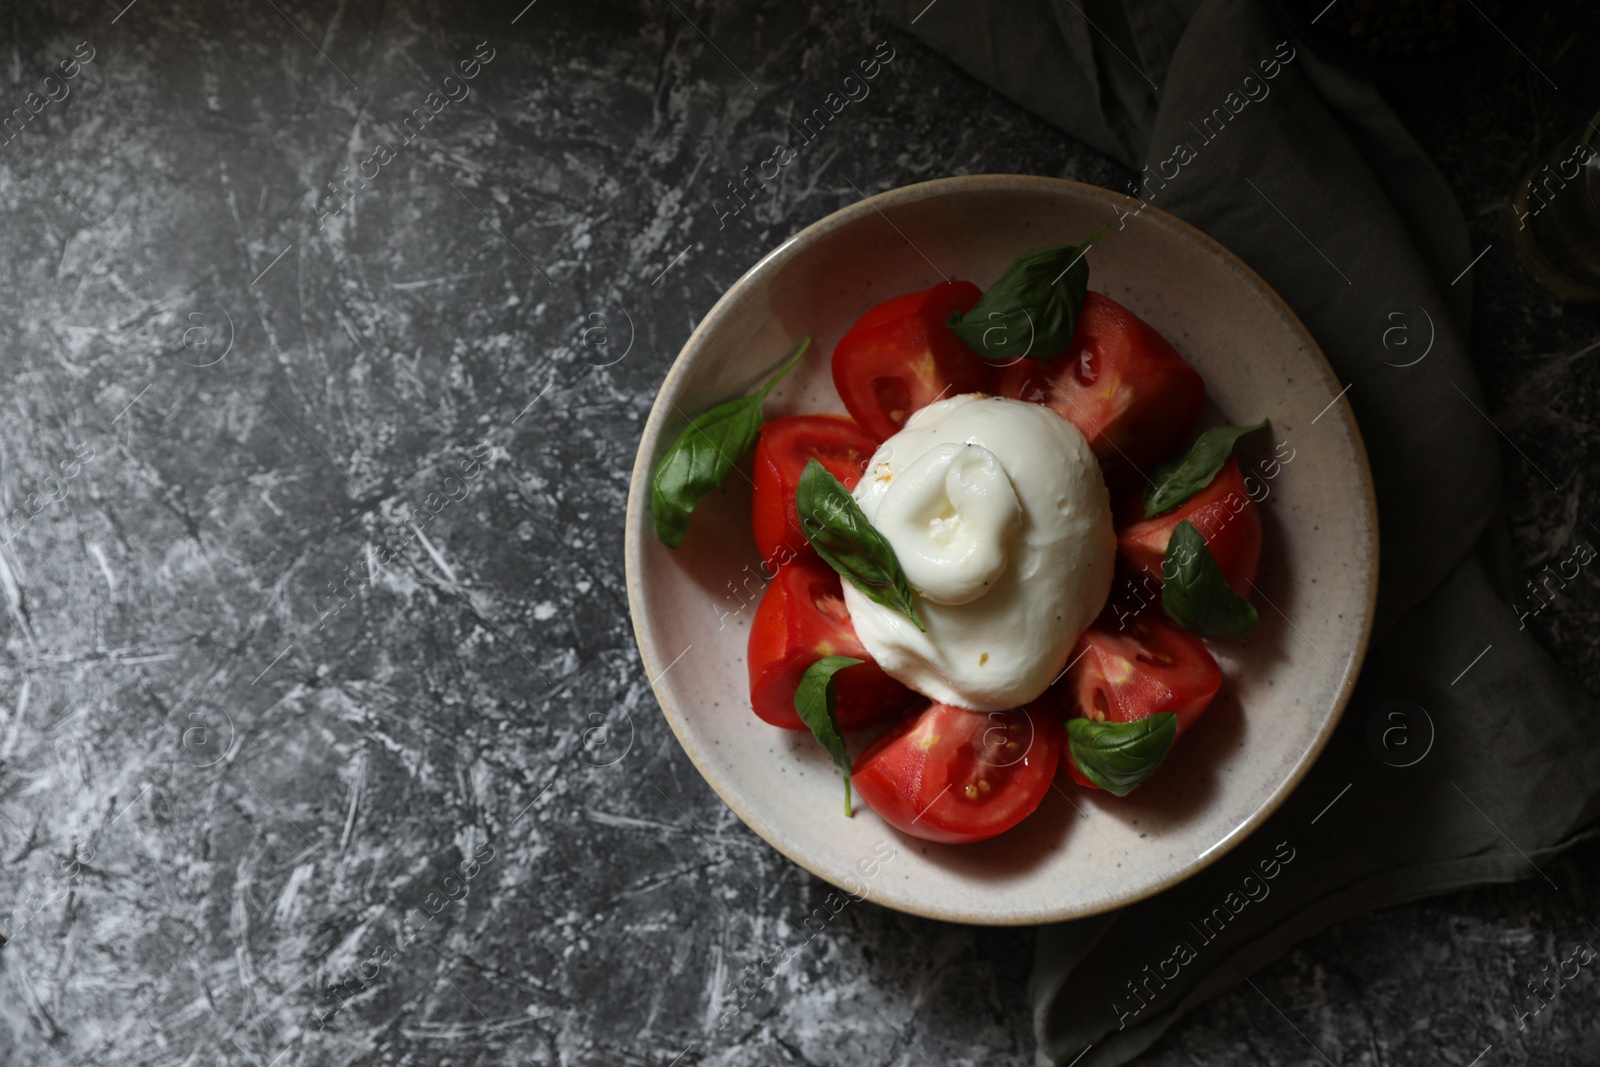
x=841, y=533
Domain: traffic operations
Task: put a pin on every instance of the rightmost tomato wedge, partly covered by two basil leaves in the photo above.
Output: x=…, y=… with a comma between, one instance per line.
x=1223, y=513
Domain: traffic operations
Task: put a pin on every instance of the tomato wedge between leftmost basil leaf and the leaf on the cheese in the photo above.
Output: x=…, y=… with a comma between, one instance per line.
x=782, y=455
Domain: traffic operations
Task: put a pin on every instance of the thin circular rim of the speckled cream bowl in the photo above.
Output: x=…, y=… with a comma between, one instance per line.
x=638, y=518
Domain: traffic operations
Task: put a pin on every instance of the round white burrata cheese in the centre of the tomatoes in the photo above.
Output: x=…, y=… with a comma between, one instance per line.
x=1002, y=524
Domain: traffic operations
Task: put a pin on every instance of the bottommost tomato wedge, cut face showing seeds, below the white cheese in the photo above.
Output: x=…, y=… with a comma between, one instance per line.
x=956, y=777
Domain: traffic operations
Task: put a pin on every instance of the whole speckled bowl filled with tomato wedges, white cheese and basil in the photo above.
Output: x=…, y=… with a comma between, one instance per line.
x=1038, y=545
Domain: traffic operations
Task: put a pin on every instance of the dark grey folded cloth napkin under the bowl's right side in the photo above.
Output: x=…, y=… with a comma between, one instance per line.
x=1308, y=175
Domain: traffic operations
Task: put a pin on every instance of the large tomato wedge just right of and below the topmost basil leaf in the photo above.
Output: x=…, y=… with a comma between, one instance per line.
x=1119, y=382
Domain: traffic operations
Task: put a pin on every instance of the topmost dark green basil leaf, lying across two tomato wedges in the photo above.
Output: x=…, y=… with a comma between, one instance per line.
x=1033, y=310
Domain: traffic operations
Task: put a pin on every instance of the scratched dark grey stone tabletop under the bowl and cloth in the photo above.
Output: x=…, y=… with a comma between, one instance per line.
x=322, y=732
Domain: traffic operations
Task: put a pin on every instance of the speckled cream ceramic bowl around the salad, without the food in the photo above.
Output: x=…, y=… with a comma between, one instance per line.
x=1286, y=687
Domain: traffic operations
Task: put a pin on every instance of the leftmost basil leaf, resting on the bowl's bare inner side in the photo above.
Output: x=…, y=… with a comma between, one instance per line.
x=706, y=454
